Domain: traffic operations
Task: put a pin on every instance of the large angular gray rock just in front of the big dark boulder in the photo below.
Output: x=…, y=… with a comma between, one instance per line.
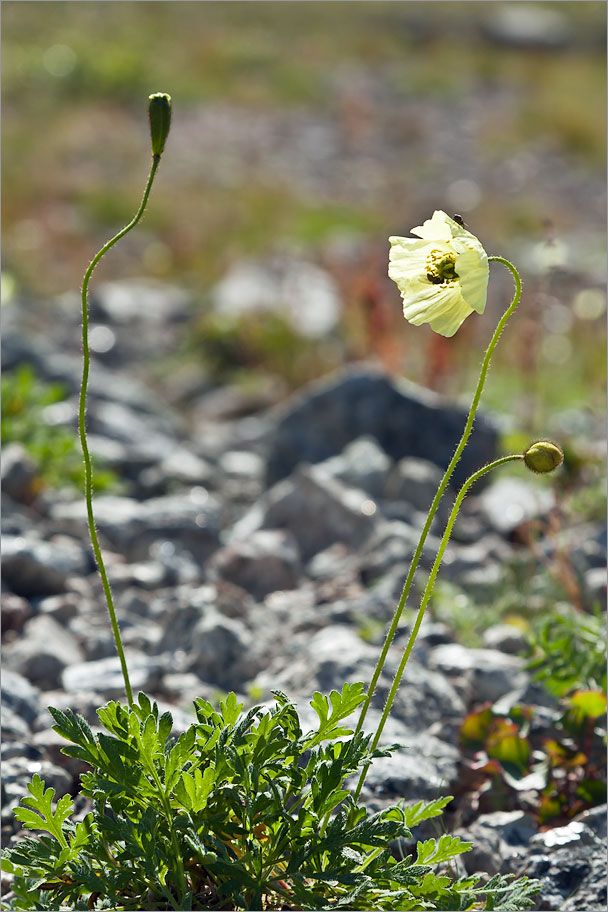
x=316, y=509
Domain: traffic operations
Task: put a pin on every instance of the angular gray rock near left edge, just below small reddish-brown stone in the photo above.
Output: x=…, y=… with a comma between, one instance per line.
x=43, y=652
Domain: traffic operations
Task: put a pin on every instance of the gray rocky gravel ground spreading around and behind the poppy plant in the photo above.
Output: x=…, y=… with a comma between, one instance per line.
x=250, y=553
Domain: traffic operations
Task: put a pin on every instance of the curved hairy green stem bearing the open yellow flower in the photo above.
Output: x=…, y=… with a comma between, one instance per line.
x=441, y=489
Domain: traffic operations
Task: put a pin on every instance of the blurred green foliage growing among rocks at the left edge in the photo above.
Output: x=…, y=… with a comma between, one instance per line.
x=53, y=449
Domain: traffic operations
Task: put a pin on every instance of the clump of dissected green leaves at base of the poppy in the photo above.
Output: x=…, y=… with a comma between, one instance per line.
x=241, y=811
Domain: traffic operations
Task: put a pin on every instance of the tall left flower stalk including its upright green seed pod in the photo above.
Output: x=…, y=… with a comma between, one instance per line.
x=160, y=119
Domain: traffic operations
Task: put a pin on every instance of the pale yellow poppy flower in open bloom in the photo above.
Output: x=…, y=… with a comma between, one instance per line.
x=443, y=277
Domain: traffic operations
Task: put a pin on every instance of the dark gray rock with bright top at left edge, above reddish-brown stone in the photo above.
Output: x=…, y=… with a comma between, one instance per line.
x=32, y=567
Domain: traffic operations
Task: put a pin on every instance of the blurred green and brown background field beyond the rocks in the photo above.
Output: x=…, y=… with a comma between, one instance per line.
x=304, y=134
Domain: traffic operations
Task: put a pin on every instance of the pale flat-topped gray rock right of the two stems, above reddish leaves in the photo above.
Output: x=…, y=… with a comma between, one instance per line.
x=490, y=673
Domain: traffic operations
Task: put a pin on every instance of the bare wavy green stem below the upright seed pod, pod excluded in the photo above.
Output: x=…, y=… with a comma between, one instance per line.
x=82, y=430
